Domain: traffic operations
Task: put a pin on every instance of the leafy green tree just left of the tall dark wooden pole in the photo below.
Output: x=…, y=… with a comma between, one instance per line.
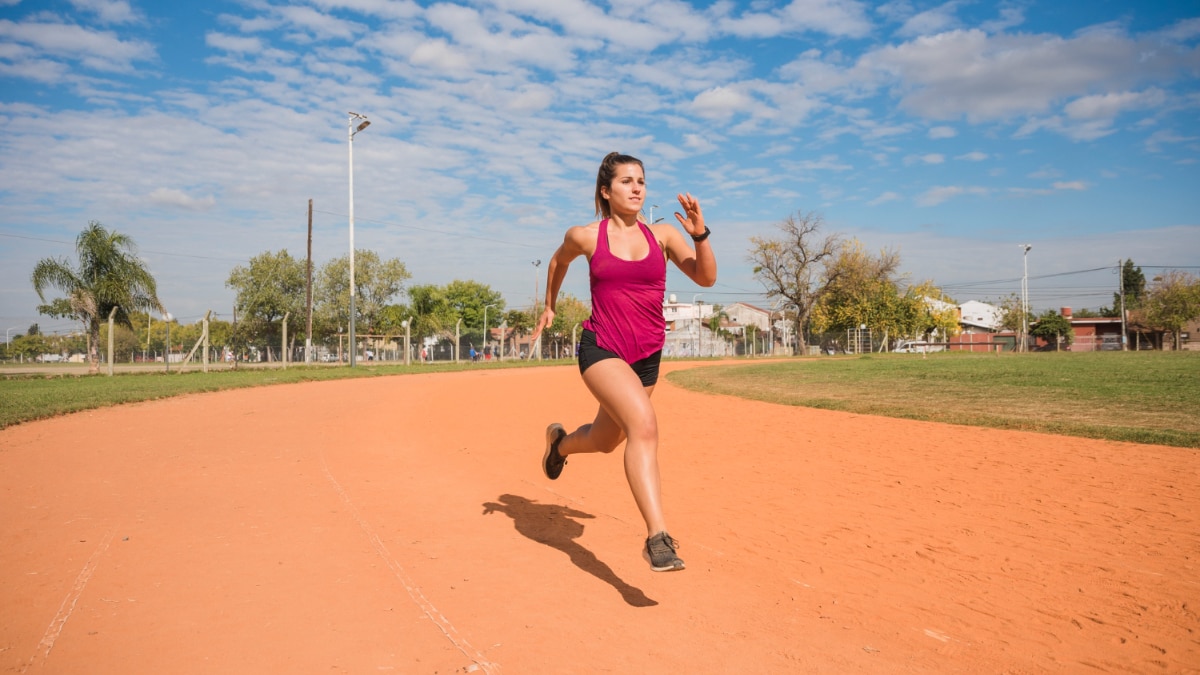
x=273, y=286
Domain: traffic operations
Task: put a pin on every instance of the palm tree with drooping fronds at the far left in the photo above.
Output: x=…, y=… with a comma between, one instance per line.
x=109, y=277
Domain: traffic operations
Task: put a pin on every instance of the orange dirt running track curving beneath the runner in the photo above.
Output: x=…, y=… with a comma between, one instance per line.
x=403, y=525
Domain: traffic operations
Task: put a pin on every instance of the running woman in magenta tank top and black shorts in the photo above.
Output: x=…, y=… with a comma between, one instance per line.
x=622, y=343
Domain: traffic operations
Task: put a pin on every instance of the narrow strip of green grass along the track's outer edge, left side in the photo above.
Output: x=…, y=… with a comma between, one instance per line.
x=59, y=391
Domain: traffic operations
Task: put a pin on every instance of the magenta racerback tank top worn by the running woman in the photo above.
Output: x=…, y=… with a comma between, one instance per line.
x=627, y=300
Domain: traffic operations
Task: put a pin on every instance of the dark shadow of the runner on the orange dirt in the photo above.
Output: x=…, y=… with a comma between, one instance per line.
x=554, y=525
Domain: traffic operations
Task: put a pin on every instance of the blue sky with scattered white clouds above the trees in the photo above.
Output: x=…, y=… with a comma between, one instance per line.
x=951, y=133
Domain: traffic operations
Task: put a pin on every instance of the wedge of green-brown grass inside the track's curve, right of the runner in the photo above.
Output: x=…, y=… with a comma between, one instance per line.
x=1138, y=397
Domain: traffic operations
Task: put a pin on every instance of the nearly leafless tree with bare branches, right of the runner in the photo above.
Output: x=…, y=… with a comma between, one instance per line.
x=795, y=266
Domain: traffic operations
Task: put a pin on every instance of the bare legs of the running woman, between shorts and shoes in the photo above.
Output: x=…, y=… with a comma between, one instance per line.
x=626, y=414
